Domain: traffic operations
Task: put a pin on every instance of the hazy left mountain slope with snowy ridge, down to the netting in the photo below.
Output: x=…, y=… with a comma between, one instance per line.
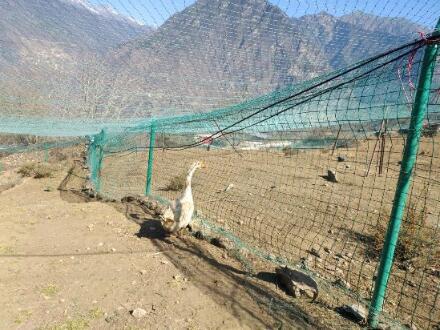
x=50, y=51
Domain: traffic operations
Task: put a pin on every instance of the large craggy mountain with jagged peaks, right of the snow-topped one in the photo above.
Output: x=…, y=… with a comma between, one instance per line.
x=218, y=52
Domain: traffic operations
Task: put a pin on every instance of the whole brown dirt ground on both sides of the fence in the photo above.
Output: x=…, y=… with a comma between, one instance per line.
x=70, y=262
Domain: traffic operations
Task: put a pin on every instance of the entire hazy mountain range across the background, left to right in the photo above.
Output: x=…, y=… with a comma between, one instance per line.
x=89, y=59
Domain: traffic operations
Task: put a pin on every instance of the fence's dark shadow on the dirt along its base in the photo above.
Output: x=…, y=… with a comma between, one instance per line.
x=254, y=300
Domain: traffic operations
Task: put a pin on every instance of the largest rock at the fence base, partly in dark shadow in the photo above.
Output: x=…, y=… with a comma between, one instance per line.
x=297, y=283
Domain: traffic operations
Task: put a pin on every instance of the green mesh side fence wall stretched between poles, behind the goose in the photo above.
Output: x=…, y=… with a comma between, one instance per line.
x=269, y=181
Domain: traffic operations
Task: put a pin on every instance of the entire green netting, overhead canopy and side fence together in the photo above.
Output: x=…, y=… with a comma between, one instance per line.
x=268, y=185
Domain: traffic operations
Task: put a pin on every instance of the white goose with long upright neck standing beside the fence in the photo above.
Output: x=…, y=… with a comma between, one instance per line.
x=179, y=214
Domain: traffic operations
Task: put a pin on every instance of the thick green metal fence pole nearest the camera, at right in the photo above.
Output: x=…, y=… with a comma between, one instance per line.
x=403, y=184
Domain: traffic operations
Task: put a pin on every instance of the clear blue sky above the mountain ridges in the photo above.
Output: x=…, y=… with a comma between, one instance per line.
x=155, y=12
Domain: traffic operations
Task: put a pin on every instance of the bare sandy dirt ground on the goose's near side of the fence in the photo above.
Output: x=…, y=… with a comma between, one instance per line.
x=70, y=263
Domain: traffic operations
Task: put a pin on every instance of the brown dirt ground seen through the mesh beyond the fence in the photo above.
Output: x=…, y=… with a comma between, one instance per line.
x=284, y=206
